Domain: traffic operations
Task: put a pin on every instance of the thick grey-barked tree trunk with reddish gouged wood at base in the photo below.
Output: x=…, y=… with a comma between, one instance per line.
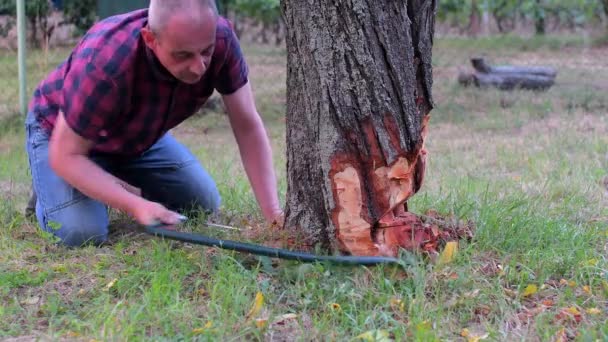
x=358, y=96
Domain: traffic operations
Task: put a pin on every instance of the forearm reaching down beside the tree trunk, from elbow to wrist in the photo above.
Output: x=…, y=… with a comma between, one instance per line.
x=257, y=158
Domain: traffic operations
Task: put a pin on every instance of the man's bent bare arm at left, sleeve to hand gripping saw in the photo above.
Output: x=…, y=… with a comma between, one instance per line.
x=68, y=157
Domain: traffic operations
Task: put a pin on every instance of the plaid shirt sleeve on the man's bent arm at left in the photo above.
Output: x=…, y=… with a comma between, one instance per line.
x=90, y=102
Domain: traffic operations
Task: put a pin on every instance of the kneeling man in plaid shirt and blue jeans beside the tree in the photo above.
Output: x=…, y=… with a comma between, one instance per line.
x=97, y=125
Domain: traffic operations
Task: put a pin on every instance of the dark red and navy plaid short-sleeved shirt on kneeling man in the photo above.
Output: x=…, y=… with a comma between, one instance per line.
x=113, y=90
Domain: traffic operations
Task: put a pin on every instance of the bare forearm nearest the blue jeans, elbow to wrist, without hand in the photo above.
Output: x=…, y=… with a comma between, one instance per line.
x=90, y=179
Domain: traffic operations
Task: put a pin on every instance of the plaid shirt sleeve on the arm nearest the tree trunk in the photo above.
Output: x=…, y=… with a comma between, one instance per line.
x=234, y=72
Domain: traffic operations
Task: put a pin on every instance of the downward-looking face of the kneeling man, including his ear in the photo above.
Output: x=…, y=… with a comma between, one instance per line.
x=185, y=46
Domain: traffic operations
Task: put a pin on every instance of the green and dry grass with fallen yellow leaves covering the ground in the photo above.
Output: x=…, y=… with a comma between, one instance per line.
x=527, y=168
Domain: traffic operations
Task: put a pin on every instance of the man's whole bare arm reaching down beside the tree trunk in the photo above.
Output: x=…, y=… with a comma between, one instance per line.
x=255, y=150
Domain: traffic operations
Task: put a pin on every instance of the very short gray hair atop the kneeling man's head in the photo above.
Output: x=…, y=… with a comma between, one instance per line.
x=160, y=11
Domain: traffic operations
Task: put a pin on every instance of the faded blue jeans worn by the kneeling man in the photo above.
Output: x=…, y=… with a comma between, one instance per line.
x=167, y=173
